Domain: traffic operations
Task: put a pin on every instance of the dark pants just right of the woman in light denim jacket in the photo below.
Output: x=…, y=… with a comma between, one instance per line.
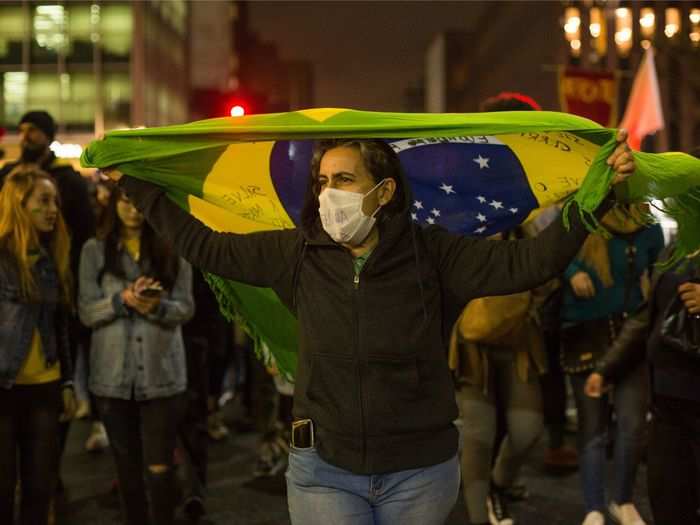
x=192, y=430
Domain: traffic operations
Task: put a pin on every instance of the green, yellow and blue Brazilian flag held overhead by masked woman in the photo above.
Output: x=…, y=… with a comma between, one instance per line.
x=474, y=174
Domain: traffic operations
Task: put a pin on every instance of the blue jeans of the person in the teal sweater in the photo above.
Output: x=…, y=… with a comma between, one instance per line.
x=630, y=403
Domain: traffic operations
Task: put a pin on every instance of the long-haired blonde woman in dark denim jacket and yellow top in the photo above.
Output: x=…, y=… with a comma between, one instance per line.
x=35, y=295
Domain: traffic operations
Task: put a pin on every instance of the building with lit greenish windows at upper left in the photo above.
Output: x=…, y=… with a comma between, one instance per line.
x=94, y=65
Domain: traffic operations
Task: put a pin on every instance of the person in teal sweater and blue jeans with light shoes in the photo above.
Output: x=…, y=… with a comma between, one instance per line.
x=604, y=285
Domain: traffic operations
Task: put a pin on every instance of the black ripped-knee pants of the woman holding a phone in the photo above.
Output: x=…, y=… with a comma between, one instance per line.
x=142, y=437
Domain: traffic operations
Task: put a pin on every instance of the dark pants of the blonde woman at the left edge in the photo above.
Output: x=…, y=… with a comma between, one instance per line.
x=28, y=433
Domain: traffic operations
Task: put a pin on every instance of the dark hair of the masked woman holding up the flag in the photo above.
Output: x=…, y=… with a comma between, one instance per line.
x=380, y=160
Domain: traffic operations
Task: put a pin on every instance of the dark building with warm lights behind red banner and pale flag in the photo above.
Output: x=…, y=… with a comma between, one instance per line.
x=523, y=46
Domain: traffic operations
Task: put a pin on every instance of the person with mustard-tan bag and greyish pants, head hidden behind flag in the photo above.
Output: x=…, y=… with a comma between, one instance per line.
x=498, y=354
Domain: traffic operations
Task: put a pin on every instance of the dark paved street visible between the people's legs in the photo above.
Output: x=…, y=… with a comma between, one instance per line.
x=235, y=498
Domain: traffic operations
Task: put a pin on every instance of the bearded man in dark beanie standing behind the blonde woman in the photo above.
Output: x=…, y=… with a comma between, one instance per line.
x=37, y=130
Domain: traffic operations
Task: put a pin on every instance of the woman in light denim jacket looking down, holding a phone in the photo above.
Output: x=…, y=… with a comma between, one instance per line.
x=135, y=294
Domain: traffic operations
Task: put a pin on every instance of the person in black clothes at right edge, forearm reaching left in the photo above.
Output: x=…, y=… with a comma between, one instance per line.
x=671, y=350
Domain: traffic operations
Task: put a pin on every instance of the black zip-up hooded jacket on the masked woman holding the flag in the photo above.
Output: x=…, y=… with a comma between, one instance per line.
x=372, y=370
